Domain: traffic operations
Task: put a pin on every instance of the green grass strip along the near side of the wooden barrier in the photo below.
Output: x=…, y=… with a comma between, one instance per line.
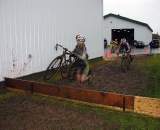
x=115, y=120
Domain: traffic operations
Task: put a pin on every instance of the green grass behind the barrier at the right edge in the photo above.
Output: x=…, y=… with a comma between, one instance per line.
x=151, y=67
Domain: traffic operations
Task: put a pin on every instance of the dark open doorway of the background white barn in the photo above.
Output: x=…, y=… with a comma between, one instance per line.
x=123, y=33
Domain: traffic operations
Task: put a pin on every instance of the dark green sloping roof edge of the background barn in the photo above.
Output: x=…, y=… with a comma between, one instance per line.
x=129, y=20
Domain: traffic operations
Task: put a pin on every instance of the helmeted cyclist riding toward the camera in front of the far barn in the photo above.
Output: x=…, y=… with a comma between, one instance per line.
x=124, y=46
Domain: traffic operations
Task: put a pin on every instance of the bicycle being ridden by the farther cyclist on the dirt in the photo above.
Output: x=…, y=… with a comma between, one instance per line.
x=126, y=60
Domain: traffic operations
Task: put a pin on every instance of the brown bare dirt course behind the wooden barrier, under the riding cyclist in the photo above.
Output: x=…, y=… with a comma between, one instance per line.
x=109, y=77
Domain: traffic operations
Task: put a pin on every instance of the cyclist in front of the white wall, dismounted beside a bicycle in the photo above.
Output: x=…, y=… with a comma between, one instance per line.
x=82, y=65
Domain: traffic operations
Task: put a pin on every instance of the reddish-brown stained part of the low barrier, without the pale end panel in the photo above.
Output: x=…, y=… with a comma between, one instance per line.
x=91, y=96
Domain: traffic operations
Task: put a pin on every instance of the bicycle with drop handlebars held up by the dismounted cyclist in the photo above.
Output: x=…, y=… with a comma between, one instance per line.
x=63, y=64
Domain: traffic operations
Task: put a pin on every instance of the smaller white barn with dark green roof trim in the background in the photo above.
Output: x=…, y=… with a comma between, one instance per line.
x=117, y=27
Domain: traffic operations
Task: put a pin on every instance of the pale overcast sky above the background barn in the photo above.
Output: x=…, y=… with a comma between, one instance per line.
x=147, y=11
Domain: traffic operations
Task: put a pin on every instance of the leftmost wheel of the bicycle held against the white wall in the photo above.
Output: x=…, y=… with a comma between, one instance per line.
x=53, y=68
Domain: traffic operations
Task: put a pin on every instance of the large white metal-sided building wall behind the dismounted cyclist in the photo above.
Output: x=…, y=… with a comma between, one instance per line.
x=29, y=30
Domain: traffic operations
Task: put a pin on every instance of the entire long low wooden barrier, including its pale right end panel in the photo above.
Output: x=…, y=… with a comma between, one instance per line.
x=144, y=105
